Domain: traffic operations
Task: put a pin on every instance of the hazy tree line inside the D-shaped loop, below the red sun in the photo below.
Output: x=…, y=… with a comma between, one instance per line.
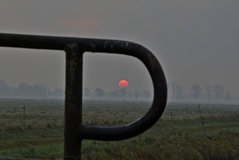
x=121, y=93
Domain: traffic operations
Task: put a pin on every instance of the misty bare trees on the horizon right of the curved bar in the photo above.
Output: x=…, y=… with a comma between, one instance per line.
x=215, y=92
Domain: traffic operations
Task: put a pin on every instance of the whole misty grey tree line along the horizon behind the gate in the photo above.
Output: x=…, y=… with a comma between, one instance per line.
x=207, y=93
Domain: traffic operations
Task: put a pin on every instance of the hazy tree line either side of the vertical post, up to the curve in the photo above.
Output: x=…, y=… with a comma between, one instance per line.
x=24, y=90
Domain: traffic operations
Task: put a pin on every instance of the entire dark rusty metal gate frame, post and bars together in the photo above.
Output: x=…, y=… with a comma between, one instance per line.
x=75, y=132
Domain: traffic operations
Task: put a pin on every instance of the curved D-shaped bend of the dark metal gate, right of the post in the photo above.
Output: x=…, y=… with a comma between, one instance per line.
x=159, y=101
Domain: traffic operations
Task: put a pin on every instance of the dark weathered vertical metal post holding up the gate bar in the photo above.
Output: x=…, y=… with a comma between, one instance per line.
x=73, y=102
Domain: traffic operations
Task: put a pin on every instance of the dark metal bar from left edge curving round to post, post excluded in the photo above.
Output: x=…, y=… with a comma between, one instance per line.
x=77, y=46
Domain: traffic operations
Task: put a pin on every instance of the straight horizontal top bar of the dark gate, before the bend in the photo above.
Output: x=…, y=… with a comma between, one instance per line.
x=59, y=43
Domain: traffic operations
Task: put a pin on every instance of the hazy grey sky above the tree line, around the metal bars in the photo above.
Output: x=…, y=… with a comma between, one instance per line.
x=196, y=41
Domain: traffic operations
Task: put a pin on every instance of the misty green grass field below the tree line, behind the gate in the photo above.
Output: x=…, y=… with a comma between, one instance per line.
x=35, y=128
